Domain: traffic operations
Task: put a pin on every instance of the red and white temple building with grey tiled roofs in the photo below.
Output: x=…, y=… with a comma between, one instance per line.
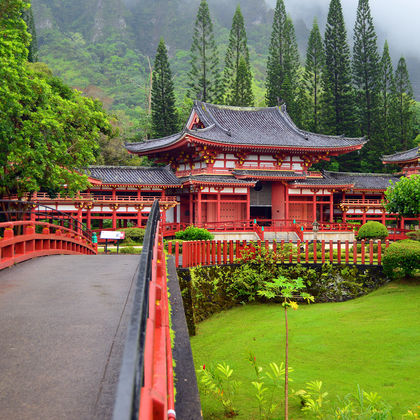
x=237, y=165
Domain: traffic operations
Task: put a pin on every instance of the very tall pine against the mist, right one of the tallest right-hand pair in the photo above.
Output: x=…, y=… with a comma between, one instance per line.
x=366, y=73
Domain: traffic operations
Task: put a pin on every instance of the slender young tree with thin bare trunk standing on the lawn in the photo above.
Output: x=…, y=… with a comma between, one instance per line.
x=289, y=290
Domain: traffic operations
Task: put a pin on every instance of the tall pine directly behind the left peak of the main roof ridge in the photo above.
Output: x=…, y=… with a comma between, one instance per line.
x=204, y=77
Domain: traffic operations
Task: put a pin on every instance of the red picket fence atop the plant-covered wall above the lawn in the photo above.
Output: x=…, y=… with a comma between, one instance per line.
x=194, y=253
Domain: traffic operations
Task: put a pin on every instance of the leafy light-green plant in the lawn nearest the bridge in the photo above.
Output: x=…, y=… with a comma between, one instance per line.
x=219, y=382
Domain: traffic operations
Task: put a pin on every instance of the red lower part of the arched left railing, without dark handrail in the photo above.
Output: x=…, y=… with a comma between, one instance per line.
x=20, y=241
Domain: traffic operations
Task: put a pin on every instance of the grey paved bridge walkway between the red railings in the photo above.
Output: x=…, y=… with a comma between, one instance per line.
x=62, y=327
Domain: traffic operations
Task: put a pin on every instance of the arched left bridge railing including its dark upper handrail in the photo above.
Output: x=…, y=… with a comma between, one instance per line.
x=26, y=233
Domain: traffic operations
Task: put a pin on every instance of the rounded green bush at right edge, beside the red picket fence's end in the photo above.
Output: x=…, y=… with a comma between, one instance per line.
x=402, y=258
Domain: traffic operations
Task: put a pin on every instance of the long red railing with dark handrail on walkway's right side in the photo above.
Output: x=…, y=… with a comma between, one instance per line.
x=146, y=386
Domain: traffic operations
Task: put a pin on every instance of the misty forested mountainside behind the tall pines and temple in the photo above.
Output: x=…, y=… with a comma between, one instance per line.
x=106, y=48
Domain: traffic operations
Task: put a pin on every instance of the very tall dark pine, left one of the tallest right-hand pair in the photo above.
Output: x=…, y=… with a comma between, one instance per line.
x=338, y=99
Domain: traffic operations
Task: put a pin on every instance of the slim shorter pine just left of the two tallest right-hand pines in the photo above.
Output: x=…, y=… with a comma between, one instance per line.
x=314, y=67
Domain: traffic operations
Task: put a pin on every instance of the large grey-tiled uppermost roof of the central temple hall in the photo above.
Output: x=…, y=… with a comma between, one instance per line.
x=269, y=127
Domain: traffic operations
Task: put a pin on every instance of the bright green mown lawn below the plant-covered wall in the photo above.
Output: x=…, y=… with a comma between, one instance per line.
x=373, y=341
